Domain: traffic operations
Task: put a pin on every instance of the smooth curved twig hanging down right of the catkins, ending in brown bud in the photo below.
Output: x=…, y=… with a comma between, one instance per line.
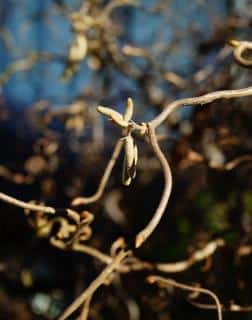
x=147, y=231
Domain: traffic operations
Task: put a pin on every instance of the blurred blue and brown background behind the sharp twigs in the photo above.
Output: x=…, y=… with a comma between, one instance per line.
x=58, y=61
